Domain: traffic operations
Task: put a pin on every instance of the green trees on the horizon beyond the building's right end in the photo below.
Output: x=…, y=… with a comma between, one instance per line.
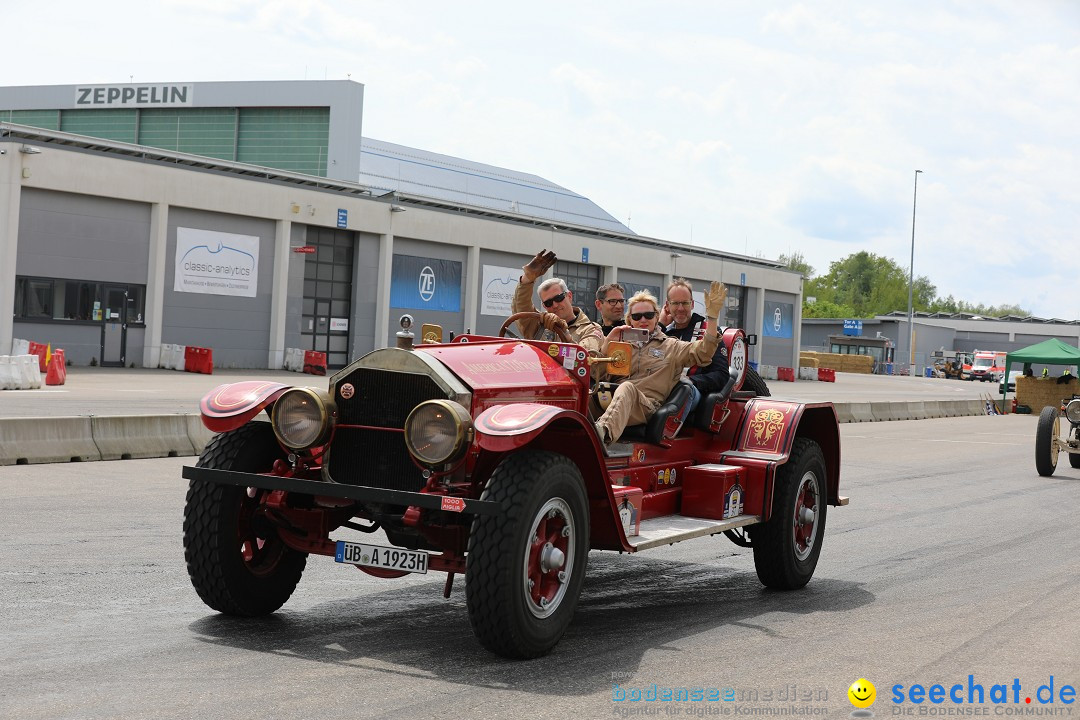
x=865, y=286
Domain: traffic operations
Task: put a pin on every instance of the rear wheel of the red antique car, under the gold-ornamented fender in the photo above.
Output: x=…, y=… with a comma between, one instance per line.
x=788, y=547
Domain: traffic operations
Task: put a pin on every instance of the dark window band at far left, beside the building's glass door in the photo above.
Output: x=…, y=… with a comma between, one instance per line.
x=71, y=301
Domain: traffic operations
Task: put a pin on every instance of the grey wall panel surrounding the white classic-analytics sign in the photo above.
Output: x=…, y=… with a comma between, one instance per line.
x=237, y=330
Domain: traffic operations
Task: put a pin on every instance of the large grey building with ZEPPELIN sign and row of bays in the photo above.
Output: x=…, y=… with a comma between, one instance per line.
x=250, y=218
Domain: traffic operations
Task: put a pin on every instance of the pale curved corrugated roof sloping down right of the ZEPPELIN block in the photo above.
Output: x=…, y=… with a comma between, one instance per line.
x=389, y=168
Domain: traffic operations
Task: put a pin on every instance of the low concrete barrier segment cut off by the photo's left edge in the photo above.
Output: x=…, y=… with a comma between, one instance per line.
x=26, y=441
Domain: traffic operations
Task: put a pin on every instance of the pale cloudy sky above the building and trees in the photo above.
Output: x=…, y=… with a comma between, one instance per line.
x=757, y=128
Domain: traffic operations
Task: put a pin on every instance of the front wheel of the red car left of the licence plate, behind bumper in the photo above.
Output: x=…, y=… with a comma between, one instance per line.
x=237, y=562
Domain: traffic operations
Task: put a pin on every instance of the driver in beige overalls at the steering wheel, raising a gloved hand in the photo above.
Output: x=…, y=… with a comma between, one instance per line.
x=559, y=304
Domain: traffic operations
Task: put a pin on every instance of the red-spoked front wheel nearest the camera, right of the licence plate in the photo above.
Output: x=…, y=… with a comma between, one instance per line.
x=525, y=567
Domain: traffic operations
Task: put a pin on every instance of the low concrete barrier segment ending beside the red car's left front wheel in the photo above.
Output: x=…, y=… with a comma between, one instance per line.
x=134, y=437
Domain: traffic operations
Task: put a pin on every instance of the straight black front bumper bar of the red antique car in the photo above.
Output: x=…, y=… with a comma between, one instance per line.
x=359, y=493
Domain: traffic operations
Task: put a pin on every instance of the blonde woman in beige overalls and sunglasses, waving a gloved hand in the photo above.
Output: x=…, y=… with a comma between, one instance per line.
x=657, y=364
